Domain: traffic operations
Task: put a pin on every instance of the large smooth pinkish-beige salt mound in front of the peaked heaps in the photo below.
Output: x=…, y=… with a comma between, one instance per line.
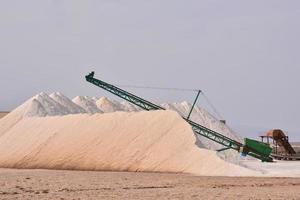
x=157, y=141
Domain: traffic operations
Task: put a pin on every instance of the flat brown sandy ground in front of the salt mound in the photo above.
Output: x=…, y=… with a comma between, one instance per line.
x=55, y=184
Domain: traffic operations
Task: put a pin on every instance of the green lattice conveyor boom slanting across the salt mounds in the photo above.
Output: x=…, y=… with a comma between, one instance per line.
x=197, y=128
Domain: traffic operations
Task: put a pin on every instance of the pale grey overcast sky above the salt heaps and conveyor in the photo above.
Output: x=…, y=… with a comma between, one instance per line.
x=245, y=55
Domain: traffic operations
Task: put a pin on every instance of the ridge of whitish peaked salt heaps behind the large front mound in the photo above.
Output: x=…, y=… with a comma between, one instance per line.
x=57, y=104
